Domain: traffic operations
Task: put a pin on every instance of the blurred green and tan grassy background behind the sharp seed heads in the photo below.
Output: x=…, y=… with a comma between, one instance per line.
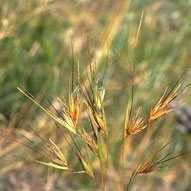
x=35, y=49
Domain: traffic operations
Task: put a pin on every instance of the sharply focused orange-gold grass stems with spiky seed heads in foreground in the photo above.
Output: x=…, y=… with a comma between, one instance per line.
x=88, y=96
